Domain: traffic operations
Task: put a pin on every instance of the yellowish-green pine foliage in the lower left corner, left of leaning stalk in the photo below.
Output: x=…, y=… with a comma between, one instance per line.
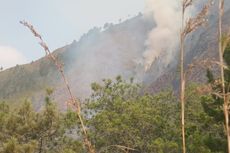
x=25, y=131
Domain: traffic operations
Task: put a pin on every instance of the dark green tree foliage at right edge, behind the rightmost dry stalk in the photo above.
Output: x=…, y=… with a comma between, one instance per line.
x=213, y=108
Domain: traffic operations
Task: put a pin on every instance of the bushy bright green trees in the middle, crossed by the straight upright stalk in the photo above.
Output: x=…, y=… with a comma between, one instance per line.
x=118, y=114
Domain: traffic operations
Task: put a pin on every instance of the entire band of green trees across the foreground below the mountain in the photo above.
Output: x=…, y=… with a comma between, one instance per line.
x=120, y=118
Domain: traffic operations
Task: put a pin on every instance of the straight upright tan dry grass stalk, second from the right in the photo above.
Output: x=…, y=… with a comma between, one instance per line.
x=182, y=86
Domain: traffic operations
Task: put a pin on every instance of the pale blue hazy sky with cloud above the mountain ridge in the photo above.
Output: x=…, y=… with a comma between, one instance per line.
x=59, y=22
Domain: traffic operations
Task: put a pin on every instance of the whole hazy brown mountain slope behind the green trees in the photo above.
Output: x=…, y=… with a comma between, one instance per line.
x=106, y=53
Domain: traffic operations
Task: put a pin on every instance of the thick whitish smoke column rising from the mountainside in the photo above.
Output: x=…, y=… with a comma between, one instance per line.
x=163, y=39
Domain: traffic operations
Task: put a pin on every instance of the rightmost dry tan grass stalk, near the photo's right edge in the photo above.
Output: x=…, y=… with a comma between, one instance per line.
x=221, y=51
